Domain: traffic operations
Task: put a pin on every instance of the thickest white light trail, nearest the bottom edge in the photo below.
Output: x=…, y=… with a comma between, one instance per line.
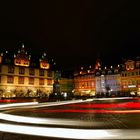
x=71, y=133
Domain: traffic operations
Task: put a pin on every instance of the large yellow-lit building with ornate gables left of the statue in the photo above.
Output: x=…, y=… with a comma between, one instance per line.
x=20, y=77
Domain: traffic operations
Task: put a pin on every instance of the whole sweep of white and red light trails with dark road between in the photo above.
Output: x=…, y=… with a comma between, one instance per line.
x=66, y=126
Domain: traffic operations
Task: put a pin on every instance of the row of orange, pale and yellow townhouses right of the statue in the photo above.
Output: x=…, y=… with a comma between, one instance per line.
x=121, y=80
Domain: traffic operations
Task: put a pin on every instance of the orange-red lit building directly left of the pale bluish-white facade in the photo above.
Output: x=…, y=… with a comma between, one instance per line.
x=84, y=82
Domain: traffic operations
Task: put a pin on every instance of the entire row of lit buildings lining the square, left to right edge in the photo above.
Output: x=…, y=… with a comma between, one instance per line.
x=21, y=76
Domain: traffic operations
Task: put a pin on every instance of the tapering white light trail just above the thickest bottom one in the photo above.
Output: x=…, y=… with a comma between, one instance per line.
x=47, y=121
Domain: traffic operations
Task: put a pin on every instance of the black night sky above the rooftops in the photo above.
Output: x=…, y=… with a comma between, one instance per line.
x=72, y=31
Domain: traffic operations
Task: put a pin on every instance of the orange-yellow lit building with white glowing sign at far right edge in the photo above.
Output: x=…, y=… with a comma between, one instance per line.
x=130, y=77
